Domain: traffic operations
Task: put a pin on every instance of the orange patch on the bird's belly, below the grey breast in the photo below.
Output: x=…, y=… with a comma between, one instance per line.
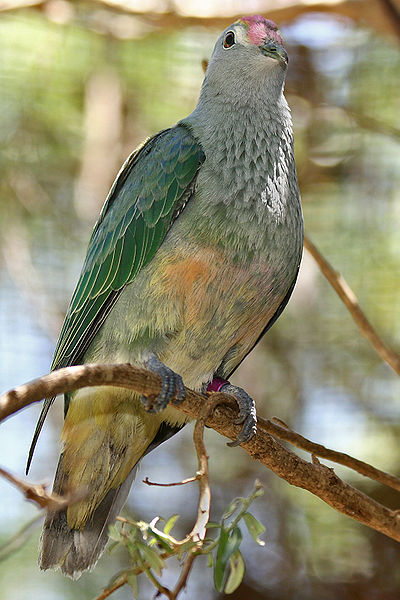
x=215, y=295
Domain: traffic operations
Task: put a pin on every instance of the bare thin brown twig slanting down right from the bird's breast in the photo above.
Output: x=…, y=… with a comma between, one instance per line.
x=347, y=296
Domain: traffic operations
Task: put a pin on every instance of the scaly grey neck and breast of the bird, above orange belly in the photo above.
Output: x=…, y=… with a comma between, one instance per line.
x=247, y=185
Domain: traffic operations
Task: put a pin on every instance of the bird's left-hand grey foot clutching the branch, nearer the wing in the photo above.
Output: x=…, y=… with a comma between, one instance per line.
x=172, y=387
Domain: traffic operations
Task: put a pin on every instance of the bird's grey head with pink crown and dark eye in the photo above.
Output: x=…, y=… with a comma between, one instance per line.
x=247, y=55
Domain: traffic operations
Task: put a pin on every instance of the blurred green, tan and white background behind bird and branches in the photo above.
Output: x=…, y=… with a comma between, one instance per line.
x=81, y=84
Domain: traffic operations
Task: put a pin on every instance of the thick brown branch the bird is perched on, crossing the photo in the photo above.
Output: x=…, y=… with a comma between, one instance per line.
x=316, y=478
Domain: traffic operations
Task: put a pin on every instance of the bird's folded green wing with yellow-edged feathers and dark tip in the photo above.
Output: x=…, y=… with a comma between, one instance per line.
x=151, y=189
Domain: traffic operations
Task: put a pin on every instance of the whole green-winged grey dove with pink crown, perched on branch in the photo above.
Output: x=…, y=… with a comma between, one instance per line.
x=193, y=258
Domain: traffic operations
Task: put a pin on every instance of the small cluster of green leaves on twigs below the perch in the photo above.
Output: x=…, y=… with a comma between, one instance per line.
x=149, y=545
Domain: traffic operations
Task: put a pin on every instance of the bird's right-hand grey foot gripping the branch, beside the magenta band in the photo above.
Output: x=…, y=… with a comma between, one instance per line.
x=247, y=409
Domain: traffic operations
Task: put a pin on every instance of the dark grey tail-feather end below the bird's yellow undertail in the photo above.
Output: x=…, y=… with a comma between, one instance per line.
x=76, y=550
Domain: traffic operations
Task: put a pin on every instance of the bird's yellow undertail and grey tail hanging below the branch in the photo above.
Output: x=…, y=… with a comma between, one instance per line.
x=104, y=437
